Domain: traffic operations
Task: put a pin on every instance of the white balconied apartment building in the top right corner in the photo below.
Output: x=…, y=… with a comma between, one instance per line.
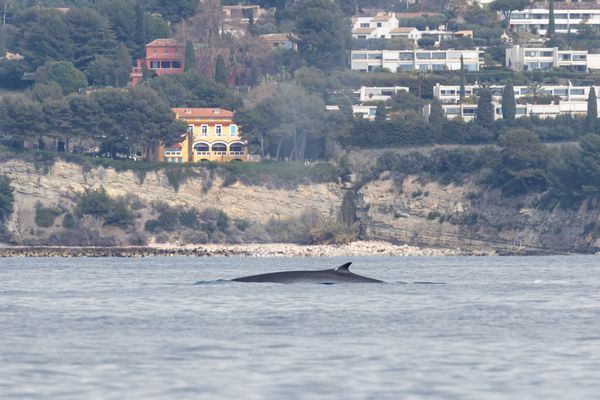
x=566, y=17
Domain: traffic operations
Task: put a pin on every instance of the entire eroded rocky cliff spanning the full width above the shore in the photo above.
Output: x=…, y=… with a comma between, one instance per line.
x=411, y=212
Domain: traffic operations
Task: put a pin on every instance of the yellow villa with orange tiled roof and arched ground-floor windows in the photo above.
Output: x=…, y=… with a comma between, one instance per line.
x=211, y=136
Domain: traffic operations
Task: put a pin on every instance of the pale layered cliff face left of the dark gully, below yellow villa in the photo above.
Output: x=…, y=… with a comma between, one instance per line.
x=61, y=185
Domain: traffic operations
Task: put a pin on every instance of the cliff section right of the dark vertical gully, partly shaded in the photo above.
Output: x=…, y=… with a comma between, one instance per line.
x=428, y=214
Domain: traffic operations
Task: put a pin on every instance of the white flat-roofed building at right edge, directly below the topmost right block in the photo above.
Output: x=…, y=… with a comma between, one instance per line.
x=519, y=58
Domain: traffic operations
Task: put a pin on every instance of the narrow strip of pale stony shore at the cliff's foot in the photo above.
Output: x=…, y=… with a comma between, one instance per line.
x=354, y=249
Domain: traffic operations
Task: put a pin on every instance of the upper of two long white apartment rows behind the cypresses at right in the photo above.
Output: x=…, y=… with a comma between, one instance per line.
x=448, y=94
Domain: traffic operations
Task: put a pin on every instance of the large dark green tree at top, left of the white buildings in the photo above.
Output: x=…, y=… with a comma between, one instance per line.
x=323, y=33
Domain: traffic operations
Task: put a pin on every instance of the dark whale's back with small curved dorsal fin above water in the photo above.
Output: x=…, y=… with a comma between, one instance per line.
x=340, y=274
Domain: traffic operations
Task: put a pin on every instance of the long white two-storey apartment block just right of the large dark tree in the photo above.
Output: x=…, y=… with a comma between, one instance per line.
x=412, y=60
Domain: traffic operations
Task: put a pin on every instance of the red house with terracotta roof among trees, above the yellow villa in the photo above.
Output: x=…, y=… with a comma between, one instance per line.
x=163, y=57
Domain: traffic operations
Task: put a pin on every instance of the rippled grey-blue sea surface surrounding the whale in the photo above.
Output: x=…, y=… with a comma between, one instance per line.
x=113, y=328
